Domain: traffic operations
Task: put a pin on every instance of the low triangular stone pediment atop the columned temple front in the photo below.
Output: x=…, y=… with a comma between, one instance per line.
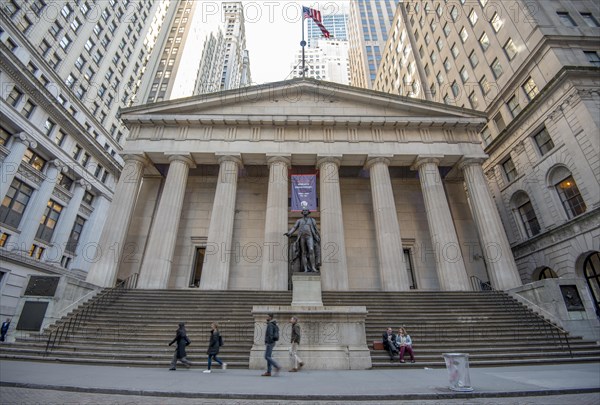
x=300, y=101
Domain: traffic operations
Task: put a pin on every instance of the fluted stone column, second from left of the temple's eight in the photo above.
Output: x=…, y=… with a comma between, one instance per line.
x=158, y=255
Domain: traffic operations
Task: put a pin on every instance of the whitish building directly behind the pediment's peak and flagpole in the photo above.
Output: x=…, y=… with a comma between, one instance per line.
x=326, y=60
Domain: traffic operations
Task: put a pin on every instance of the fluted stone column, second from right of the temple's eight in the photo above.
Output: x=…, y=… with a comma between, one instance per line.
x=449, y=262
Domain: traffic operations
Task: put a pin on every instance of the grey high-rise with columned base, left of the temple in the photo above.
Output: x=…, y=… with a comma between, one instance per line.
x=66, y=68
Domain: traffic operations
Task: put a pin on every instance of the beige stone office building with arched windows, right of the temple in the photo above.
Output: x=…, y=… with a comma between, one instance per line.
x=532, y=67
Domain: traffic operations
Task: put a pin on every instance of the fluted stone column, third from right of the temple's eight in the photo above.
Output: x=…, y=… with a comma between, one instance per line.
x=392, y=268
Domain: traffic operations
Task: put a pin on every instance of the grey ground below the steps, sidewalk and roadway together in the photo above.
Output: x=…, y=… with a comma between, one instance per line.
x=23, y=382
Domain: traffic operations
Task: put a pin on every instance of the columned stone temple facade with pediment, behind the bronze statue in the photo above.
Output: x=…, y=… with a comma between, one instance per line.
x=204, y=198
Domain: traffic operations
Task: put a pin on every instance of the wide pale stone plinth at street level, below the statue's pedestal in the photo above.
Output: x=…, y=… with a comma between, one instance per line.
x=333, y=338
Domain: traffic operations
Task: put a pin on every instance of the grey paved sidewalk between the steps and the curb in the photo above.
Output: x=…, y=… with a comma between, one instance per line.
x=396, y=384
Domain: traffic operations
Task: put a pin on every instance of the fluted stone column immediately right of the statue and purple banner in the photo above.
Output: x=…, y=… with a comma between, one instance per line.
x=334, y=271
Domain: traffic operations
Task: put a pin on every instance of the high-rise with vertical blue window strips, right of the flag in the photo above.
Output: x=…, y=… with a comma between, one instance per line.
x=368, y=27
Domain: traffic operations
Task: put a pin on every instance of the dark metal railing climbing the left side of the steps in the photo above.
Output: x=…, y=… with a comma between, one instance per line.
x=63, y=331
